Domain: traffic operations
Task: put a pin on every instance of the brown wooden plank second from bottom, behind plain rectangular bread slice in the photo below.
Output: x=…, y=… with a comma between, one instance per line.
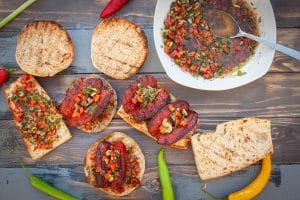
x=285, y=134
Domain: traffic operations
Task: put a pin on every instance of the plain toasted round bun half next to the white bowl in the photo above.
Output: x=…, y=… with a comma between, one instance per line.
x=119, y=48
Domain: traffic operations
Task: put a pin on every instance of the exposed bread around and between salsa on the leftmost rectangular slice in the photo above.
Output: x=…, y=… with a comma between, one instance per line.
x=62, y=133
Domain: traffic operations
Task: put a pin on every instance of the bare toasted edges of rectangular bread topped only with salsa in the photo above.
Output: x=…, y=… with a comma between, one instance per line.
x=63, y=131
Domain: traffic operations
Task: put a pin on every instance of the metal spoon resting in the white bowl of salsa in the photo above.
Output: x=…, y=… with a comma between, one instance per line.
x=223, y=24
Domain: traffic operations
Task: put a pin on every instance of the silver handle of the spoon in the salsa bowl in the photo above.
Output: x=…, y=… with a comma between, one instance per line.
x=278, y=47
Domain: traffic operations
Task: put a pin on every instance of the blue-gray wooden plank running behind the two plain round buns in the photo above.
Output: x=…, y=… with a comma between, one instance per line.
x=82, y=62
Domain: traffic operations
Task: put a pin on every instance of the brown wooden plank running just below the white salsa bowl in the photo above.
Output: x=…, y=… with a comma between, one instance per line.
x=274, y=95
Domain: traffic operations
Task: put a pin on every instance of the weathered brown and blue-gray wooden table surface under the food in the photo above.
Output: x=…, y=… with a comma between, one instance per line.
x=275, y=96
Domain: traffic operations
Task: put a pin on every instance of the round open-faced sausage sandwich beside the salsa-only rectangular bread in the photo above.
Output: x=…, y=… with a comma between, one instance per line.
x=90, y=104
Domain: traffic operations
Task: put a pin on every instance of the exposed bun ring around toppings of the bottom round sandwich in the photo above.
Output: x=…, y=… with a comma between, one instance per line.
x=129, y=143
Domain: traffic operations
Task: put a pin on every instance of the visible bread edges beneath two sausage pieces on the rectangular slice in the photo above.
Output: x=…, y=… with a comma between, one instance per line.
x=142, y=127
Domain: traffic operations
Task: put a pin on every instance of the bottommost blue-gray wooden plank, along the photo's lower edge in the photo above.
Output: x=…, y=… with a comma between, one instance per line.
x=186, y=183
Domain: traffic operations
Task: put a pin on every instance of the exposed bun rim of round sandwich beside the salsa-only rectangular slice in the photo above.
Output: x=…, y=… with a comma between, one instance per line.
x=110, y=110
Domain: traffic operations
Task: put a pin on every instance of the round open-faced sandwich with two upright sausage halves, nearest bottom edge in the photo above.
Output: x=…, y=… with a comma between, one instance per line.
x=115, y=164
